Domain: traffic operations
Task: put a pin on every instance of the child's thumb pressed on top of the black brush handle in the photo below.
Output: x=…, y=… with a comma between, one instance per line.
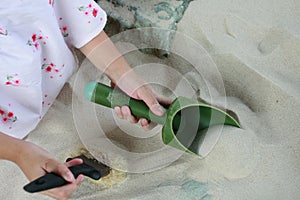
x=59, y=168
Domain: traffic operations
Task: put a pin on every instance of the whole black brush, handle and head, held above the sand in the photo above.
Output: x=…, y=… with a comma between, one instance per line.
x=89, y=167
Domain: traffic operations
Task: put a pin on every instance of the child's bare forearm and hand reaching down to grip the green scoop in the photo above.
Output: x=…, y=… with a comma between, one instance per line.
x=101, y=52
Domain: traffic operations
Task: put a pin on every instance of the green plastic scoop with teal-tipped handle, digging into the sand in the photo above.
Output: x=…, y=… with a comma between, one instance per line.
x=183, y=120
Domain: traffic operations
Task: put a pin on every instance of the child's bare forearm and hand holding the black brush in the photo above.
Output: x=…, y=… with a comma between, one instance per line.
x=35, y=162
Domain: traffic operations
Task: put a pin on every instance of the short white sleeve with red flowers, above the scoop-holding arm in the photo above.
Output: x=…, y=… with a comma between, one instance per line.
x=79, y=20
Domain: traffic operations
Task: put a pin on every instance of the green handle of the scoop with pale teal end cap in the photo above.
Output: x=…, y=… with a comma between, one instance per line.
x=109, y=97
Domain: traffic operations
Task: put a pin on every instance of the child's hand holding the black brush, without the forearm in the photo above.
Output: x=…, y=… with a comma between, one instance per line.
x=36, y=162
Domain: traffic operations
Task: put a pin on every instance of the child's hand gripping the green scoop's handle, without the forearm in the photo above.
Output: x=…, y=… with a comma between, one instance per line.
x=138, y=89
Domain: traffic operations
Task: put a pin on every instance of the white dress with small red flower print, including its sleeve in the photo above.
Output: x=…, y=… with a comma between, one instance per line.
x=36, y=57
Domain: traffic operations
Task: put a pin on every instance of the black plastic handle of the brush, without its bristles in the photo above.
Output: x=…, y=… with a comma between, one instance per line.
x=52, y=180
